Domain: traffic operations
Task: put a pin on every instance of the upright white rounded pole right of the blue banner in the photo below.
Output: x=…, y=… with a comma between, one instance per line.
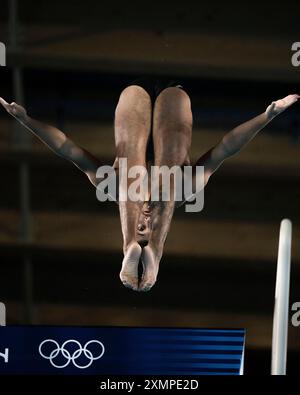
x=281, y=307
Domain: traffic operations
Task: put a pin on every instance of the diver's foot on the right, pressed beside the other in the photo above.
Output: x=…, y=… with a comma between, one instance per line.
x=150, y=265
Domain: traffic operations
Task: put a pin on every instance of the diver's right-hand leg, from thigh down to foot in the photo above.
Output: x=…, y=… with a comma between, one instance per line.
x=172, y=134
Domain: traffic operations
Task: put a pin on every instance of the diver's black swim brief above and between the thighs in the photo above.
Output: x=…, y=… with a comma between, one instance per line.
x=155, y=85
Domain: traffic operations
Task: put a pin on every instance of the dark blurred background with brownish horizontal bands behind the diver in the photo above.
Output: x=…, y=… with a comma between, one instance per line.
x=60, y=249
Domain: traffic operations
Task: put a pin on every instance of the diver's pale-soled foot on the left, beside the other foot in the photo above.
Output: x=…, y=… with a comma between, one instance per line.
x=129, y=271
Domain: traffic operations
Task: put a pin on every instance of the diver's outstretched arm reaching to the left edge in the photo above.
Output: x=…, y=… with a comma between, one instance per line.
x=56, y=140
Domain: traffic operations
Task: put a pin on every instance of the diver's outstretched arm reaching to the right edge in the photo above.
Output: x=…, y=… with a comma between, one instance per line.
x=240, y=136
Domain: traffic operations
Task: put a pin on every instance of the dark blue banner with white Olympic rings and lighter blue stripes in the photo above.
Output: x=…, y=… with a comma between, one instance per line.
x=120, y=351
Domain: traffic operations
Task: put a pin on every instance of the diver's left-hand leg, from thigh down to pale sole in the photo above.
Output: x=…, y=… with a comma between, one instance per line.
x=132, y=130
